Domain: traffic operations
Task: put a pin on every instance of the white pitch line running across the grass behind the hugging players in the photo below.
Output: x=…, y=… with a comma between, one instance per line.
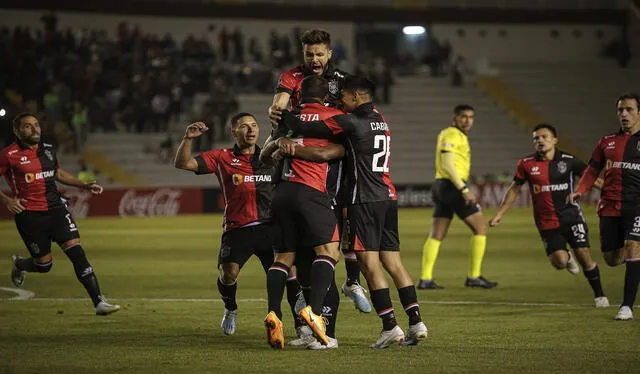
x=261, y=300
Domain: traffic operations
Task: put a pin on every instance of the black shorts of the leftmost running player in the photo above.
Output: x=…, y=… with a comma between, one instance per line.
x=39, y=229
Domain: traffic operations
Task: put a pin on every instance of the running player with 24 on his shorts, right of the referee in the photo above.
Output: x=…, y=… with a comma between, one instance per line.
x=550, y=173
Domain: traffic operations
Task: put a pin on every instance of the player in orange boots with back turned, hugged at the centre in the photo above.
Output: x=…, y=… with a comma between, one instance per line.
x=305, y=219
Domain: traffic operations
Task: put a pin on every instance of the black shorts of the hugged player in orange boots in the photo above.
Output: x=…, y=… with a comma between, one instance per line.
x=303, y=217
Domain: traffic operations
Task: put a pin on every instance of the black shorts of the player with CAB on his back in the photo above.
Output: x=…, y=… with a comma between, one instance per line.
x=374, y=226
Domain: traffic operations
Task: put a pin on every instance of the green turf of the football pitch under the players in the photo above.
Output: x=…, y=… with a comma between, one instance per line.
x=139, y=261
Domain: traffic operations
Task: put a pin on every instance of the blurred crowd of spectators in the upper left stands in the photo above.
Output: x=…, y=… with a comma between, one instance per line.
x=82, y=81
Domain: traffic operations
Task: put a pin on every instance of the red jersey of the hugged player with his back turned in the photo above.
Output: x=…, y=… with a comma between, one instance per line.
x=312, y=174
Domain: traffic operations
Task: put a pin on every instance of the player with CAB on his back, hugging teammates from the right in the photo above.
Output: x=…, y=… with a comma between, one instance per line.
x=373, y=207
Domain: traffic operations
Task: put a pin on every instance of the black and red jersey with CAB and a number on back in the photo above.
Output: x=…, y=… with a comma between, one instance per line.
x=368, y=144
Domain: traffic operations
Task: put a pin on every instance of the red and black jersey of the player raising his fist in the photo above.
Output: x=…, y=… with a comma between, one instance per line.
x=245, y=183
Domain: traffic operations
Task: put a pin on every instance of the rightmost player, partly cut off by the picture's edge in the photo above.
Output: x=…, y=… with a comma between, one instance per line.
x=619, y=207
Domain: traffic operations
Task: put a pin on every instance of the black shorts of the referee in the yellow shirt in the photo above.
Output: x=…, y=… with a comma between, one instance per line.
x=448, y=200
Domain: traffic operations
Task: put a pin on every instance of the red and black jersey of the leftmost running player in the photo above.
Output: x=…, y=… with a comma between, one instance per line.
x=31, y=174
